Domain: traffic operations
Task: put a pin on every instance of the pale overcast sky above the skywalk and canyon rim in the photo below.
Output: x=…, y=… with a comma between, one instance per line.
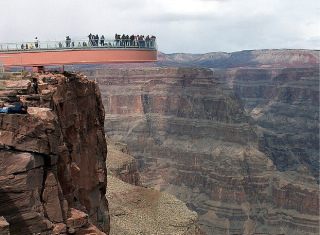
x=190, y=26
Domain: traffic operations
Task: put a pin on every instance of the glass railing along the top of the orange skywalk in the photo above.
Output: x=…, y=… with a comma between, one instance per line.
x=78, y=45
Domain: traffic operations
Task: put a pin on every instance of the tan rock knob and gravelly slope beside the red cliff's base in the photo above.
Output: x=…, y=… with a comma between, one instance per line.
x=138, y=210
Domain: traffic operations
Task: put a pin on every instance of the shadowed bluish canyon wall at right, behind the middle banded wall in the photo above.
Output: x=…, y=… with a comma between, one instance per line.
x=285, y=105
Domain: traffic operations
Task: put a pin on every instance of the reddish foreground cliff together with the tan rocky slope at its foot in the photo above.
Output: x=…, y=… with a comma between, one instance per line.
x=54, y=167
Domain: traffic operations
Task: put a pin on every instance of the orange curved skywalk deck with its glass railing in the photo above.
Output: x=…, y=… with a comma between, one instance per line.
x=77, y=52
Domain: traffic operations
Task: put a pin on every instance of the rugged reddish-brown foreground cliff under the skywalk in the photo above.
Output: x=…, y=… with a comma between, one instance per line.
x=52, y=160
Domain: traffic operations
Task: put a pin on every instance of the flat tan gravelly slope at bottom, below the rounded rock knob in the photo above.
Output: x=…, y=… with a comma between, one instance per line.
x=136, y=210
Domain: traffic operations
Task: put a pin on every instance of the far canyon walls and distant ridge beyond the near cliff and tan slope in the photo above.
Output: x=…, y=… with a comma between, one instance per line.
x=237, y=144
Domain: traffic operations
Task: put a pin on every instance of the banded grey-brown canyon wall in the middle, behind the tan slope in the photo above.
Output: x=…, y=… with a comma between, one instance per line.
x=192, y=138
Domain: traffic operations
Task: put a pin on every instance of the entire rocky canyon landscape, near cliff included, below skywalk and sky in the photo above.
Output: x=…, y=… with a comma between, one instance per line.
x=236, y=141
